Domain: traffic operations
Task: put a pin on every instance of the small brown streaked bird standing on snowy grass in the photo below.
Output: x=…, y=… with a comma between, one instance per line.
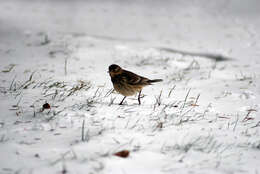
x=128, y=83
